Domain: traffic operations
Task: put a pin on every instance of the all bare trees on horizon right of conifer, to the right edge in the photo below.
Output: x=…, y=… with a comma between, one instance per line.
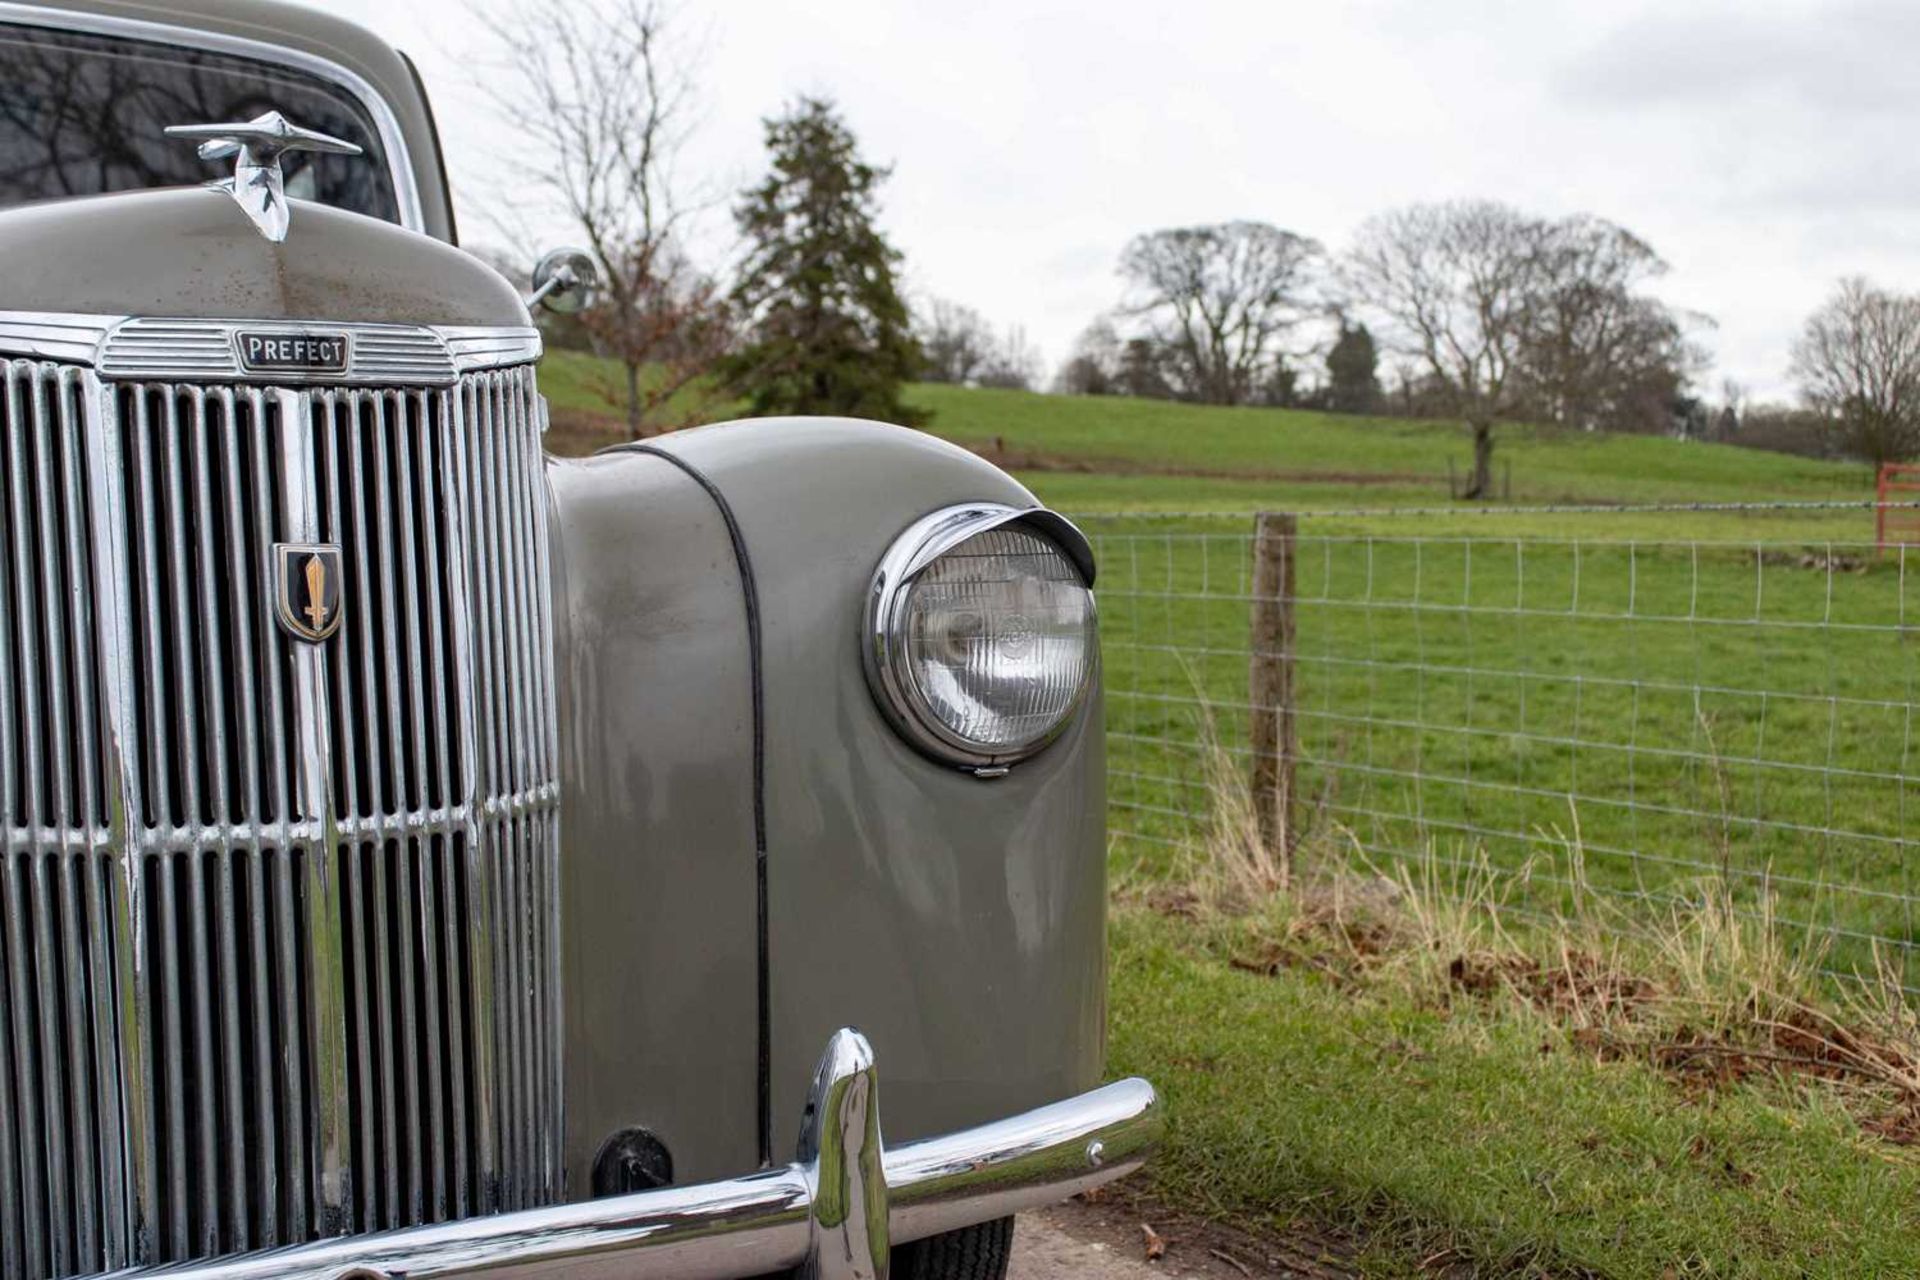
x=1489, y=316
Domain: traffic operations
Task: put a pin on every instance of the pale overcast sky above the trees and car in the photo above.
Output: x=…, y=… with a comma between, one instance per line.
x=1762, y=149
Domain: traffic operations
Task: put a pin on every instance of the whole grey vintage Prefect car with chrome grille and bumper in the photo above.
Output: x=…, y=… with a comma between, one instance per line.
x=431, y=857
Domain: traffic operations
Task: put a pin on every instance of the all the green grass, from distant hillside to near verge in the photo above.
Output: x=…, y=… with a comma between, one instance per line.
x=1658, y=707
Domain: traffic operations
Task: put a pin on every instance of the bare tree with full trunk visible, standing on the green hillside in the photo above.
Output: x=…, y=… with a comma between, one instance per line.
x=1456, y=285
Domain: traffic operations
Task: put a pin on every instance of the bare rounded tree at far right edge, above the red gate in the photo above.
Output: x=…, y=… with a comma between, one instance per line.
x=1858, y=366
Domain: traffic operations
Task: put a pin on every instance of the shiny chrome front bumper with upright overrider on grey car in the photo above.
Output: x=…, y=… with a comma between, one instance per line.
x=834, y=1214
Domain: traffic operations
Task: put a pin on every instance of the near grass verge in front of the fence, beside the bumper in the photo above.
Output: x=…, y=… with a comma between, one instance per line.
x=1483, y=1133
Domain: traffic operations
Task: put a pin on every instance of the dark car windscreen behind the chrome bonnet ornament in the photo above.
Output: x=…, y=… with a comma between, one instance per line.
x=85, y=114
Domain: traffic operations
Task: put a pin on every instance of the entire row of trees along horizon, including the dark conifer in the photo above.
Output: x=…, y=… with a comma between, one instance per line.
x=1470, y=310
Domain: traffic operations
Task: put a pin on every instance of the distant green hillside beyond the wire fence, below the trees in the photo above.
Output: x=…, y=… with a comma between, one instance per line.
x=1124, y=456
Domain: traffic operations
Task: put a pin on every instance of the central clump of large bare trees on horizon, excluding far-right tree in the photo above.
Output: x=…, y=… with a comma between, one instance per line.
x=1493, y=316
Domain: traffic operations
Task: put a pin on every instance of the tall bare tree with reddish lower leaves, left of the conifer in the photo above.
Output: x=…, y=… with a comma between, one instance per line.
x=604, y=103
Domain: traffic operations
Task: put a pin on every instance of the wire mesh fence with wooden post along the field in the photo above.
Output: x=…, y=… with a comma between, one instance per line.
x=1679, y=715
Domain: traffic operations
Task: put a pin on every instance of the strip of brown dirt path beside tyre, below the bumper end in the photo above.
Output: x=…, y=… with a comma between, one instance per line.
x=1111, y=1243
